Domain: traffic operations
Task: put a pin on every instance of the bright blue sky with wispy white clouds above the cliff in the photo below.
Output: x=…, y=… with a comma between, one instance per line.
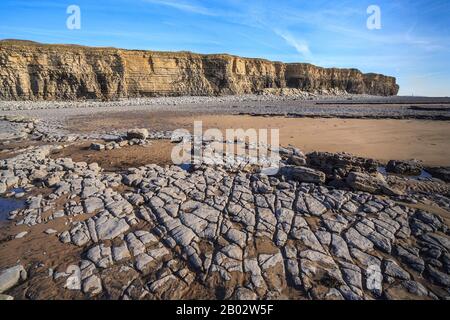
x=413, y=43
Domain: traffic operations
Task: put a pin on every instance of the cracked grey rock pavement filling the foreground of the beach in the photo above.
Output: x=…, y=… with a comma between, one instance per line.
x=154, y=232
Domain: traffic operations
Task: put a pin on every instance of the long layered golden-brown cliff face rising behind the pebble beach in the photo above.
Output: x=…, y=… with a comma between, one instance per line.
x=31, y=71
